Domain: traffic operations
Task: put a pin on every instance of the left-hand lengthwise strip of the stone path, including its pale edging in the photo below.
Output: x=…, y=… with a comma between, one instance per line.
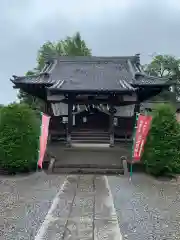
x=55, y=222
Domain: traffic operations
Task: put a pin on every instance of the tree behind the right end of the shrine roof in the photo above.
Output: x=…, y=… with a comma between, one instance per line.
x=165, y=66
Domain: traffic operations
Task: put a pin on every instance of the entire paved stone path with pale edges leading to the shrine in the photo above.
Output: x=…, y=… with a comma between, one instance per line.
x=83, y=209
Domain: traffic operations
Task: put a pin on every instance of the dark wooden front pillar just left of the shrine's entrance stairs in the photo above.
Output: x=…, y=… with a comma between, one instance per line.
x=70, y=119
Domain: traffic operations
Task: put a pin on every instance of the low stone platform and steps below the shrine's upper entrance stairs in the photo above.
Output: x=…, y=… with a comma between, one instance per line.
x=86, y=160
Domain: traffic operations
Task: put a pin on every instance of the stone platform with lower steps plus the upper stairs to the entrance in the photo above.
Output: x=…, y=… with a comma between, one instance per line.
x=89, y=153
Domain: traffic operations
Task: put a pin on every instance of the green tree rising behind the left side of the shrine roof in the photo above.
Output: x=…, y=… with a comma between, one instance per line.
x=70, y=46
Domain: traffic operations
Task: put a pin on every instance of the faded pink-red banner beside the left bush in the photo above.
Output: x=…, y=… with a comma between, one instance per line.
x=43, y=138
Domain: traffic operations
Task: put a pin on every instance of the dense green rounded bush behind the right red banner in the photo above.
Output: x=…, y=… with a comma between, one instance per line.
x=162, y=150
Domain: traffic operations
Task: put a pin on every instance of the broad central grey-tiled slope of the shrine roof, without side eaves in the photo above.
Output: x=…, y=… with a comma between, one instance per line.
x=94, y=73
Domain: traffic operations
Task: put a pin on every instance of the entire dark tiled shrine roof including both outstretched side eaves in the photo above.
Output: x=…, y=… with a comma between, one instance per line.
x=92, y=74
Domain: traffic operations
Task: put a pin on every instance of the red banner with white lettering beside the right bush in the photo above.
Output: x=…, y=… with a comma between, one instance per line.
x=143, y=126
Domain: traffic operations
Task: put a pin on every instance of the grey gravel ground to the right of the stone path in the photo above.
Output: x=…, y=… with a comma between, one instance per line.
x=147, y=208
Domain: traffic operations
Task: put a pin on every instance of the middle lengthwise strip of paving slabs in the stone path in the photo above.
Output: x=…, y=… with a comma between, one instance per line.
x=80, y=222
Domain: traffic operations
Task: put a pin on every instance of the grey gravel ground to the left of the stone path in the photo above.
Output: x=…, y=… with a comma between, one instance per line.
x=24, y=203
